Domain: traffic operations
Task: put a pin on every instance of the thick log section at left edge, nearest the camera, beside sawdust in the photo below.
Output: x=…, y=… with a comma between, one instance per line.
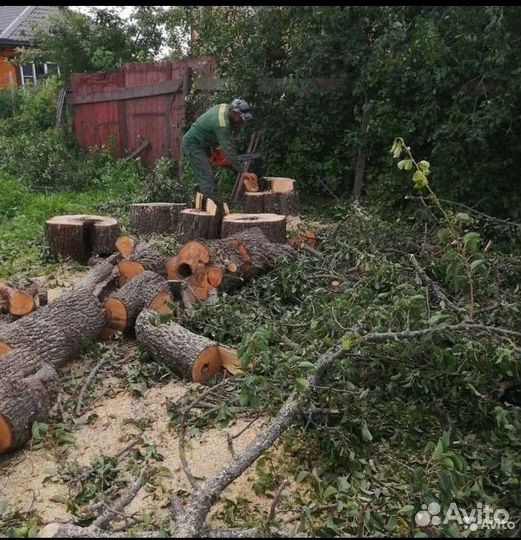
x=28, y=390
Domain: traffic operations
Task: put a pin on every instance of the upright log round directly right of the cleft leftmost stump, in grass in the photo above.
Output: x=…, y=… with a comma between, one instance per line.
x=155, y=218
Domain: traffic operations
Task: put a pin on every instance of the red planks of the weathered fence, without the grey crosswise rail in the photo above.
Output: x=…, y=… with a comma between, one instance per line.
x=128, y=122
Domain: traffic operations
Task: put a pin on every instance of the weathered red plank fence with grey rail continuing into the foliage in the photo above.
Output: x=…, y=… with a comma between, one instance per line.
x=141, y=107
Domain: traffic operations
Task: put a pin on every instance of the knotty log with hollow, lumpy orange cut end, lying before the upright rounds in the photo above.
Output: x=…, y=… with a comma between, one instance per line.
x=226, y=263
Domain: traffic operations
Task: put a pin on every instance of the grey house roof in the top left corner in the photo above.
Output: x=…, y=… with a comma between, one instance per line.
x=17, y=22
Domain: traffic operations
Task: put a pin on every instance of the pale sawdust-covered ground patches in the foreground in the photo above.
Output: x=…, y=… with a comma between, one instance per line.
x=28, y=478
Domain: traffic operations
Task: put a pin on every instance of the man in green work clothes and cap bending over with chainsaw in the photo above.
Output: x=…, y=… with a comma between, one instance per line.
x=210, y=130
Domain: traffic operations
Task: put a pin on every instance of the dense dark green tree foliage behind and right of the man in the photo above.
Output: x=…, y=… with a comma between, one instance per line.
x=446, y=76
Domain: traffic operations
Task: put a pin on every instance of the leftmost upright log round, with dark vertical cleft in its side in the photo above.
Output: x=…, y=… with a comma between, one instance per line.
x=80, y=236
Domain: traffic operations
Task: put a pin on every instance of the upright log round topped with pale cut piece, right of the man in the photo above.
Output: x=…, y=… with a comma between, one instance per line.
x=278, y=197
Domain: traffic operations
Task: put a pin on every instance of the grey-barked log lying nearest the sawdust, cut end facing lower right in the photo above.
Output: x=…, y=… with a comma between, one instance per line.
x=189, y=355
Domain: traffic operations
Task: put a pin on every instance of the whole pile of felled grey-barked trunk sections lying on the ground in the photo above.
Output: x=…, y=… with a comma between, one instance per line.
x=34, y=347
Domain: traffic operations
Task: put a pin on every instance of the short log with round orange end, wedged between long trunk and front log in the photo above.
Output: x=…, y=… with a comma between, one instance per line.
x=122, y=307
